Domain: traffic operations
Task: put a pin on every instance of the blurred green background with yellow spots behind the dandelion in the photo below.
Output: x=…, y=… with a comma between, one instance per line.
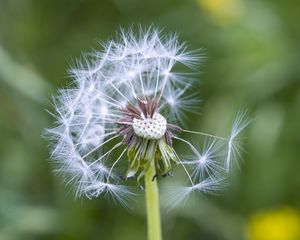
x=253, y=56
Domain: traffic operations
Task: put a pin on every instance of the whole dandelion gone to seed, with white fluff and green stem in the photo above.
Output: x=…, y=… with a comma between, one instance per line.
x=122, y=113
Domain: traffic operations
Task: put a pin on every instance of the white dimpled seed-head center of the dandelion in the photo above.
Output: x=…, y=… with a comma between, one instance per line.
x=150, y=128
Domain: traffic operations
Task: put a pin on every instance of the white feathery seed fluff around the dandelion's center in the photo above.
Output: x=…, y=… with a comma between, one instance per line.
x=86, y=143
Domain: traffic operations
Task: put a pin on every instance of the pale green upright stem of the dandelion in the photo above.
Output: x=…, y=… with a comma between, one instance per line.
x=152, y=202
